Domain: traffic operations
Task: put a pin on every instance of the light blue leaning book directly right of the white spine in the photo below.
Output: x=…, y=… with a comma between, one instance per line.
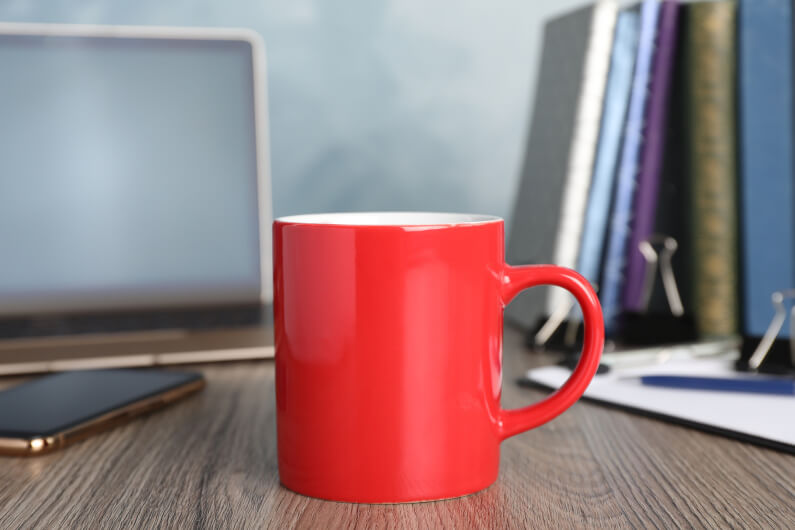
x=619, y=82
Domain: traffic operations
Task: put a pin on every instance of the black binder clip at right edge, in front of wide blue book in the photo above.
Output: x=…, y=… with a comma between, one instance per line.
x=771, y=354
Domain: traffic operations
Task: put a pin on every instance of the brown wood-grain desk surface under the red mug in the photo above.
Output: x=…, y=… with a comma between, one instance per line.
x=210, y=461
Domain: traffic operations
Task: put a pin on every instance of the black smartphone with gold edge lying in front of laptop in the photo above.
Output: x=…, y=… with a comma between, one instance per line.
x=56, y=410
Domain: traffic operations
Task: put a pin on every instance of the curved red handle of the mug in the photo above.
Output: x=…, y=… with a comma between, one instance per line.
x=516, y=279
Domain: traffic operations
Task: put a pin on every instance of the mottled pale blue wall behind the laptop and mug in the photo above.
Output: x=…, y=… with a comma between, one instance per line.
x=374, y=104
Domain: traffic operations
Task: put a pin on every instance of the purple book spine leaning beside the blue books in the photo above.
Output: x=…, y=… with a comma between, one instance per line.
x=651, y=156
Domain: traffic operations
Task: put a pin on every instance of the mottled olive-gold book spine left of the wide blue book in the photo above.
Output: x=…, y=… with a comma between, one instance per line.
x=711, y=105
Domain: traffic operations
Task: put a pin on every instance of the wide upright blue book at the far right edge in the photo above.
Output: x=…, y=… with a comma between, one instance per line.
x=767, y=187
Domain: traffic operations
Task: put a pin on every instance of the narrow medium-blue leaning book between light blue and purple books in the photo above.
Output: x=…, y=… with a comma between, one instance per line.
x=615, y=253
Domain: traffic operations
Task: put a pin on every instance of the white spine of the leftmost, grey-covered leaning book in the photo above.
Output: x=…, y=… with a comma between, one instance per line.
x=583, y=146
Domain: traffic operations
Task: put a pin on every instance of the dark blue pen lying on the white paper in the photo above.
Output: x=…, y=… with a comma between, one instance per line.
x=760, y=385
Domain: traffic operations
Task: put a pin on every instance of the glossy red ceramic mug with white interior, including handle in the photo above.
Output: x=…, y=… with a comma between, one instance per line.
x=388, y=330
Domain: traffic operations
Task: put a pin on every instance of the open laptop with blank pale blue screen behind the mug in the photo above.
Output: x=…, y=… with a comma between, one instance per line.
x=135, y=205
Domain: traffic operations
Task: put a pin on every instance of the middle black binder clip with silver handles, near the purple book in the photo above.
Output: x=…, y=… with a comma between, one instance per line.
x=645, y=328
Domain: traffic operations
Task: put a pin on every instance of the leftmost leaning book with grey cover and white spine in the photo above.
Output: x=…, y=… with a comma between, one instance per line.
x=560, y=146
